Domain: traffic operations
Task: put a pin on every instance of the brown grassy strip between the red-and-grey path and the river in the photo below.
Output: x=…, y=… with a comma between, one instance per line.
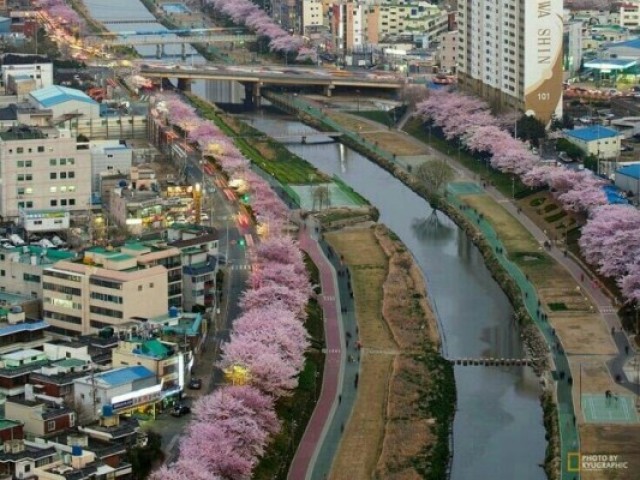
x=403, y=379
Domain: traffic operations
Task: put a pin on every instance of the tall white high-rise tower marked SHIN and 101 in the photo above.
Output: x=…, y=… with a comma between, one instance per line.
x=510, y=53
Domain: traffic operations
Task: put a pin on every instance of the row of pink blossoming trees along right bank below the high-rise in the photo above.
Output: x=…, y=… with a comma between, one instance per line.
x=611, y=237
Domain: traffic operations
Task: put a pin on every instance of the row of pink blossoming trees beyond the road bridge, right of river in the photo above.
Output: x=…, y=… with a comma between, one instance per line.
x=245, y=12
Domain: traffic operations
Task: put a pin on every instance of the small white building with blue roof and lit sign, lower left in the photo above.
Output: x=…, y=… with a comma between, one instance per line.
x=123, y=390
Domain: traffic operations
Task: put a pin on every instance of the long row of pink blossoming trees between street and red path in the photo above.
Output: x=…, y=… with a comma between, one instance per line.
x=231, y=427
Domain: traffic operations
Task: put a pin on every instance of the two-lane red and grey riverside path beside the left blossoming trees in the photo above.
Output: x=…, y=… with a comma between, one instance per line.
x=320, y=441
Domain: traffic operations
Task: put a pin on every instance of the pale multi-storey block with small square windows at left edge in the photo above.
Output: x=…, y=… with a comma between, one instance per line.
x=43, y=169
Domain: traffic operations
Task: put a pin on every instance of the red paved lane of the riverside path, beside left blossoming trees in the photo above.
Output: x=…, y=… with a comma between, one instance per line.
x=330, y=380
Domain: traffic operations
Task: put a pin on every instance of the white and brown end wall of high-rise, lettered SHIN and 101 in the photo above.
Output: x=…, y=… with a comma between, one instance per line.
x=543, y=35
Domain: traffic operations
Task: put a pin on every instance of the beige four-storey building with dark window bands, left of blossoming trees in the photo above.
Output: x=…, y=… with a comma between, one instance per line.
x=107, y=289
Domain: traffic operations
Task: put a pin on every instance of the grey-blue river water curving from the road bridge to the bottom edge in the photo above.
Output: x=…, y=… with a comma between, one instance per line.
x=498, y=430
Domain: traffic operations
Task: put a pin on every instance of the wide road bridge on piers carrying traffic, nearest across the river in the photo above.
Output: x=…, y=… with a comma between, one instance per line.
x=254, y=78
